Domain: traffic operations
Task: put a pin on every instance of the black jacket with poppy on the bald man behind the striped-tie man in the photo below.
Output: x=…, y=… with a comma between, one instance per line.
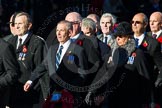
x=93, y=56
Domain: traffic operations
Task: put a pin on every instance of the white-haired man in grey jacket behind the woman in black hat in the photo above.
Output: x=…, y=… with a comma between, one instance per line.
x=107, y=22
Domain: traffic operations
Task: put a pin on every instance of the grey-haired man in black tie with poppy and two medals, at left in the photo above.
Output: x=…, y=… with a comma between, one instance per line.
x=29, y=50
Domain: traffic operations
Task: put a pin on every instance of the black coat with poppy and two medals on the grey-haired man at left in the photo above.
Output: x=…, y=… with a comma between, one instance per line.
x=29, y=55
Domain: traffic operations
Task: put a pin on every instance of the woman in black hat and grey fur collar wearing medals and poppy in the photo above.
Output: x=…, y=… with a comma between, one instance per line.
x=125, y=67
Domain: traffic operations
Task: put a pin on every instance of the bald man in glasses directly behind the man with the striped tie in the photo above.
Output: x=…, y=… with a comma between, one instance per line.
x=93, y=55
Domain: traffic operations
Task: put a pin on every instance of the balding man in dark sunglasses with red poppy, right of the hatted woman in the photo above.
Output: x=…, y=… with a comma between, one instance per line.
x=152, y=52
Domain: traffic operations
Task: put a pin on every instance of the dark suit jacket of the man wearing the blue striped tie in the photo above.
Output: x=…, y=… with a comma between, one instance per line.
x=70, y=75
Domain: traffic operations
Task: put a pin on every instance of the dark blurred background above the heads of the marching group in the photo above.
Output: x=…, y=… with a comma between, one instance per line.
x=46, y=13
